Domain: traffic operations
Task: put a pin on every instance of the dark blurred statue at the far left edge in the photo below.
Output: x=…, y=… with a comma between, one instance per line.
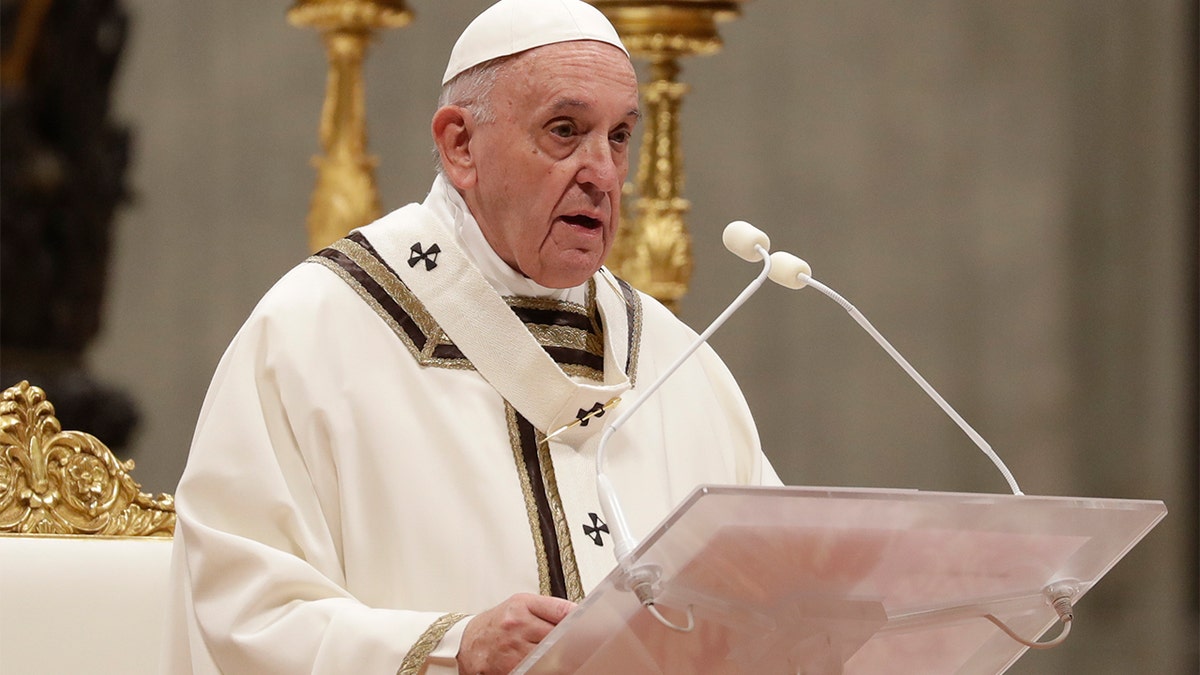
x=63, y=164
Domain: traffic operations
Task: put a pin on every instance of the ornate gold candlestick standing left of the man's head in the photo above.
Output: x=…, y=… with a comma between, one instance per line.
x=346, y=195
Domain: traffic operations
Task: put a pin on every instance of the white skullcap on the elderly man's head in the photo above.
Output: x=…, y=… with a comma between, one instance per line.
x=512, y=27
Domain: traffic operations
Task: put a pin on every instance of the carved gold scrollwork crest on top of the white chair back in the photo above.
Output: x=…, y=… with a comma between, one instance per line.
x=56, y=482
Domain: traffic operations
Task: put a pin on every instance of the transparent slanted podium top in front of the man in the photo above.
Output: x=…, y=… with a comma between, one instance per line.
x=825, y=582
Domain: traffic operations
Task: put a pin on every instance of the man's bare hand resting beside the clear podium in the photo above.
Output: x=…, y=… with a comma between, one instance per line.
x=496, y=641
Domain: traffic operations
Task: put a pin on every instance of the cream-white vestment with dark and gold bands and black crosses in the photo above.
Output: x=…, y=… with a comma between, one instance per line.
x=370, y=465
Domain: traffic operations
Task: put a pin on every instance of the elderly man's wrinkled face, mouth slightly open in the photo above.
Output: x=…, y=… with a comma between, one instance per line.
x=550, y=169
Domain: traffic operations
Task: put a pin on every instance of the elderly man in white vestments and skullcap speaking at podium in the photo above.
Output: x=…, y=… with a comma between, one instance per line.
x=394, y=467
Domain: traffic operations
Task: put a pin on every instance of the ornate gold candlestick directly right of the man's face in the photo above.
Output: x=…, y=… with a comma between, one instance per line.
x=653, y=250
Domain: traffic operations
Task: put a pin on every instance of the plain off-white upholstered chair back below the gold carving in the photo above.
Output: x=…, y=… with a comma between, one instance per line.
x=82, y=605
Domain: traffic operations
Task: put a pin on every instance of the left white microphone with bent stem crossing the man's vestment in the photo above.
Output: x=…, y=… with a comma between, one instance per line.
x=748, y=243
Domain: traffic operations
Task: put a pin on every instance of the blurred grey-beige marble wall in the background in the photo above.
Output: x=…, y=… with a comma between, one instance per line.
x=1006, y=189
